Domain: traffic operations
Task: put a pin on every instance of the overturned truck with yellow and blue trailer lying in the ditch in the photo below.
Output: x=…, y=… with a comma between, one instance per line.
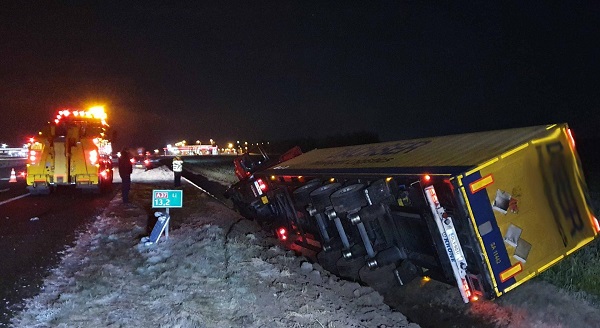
x=483, y=211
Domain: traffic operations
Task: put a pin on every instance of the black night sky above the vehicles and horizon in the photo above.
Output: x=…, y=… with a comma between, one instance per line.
x=253, y=70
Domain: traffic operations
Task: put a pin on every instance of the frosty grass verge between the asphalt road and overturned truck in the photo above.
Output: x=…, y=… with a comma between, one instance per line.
x=215, y=270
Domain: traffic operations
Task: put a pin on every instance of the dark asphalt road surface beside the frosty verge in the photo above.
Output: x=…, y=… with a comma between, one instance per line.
x=33, y=232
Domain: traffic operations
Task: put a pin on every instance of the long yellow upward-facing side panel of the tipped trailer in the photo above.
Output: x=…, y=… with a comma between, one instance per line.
x=446, y=155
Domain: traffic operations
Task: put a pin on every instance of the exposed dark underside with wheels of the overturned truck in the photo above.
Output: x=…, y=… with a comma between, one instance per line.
x=360, y=227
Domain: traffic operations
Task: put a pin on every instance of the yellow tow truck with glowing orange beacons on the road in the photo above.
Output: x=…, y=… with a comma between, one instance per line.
x=72, y=150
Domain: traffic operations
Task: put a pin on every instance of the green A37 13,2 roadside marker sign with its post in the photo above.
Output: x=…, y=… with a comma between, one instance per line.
x=163, y=199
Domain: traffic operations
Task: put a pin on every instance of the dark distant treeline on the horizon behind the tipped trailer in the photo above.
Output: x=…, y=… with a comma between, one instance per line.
x=338, y=140
